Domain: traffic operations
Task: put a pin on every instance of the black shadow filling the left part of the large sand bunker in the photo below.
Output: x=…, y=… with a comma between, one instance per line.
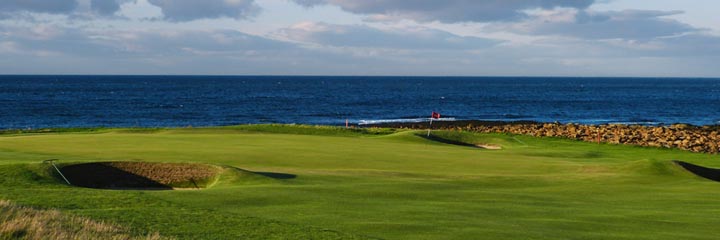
x=99, y=175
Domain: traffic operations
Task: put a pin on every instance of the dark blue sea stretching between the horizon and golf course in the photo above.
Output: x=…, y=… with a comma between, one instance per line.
x=178, y=101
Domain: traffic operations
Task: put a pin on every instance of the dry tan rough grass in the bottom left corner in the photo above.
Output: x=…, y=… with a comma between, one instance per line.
x=17, y=222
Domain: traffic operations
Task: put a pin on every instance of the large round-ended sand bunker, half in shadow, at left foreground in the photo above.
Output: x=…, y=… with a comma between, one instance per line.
x=141, y=175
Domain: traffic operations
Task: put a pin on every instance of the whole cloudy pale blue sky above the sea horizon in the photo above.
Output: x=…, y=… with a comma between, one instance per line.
x=588, y=38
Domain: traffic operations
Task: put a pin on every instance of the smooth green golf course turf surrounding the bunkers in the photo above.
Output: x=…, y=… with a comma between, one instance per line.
x=303, y=182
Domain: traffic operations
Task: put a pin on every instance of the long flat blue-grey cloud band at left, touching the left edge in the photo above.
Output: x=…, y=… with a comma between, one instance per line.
x=100, y=44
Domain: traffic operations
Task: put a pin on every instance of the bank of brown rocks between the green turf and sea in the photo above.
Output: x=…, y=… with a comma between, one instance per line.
x=702, y=139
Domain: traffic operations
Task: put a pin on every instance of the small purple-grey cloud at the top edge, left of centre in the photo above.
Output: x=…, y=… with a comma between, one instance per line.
x=187, y=10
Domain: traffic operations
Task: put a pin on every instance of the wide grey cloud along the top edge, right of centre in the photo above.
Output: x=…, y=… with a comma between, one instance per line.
x=447, y=11
